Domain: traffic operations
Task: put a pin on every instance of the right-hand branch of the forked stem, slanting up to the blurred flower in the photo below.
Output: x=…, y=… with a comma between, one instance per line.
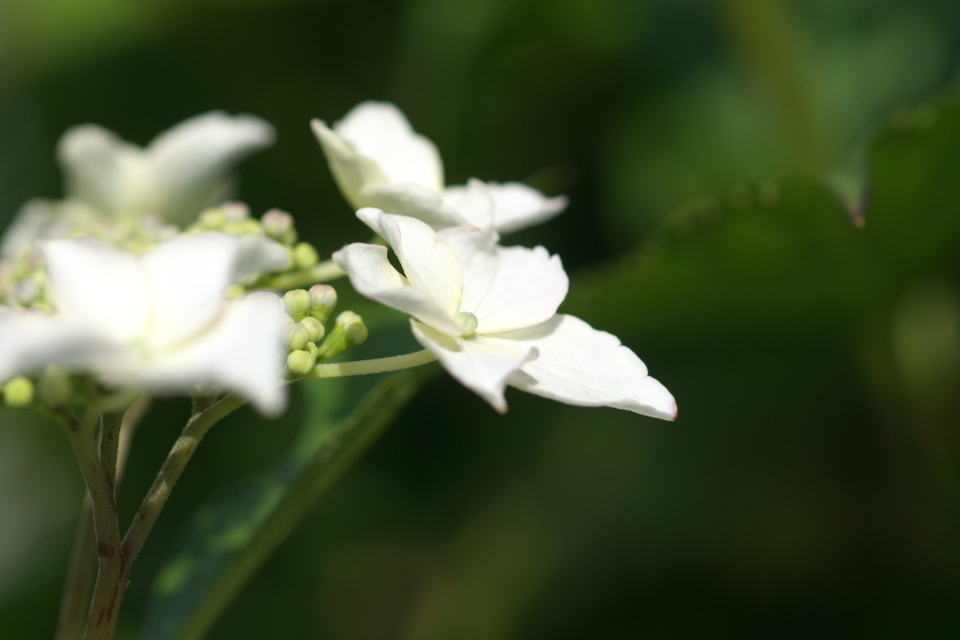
x=173, y=466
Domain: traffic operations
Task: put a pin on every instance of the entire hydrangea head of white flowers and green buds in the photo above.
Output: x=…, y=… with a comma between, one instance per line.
x=141, y=279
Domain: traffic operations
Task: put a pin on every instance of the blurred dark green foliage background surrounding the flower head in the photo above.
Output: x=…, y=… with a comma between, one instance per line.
x=810, y=488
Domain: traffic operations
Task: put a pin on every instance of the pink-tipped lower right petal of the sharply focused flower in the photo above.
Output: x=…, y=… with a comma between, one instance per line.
x=579, y=365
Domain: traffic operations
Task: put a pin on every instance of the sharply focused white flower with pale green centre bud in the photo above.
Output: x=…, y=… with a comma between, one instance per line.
x=488, y=313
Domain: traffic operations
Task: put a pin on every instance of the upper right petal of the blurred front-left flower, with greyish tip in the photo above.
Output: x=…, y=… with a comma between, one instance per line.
x=189, y=275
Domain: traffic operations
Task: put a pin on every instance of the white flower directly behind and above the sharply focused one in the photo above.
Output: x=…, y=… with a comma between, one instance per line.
x=379, y=161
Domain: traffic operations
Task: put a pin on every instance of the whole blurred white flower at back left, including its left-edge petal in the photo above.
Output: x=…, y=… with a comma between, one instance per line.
x=112, y=182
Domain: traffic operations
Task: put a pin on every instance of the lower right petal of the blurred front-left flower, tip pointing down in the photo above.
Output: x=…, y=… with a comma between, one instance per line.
x=241, y=352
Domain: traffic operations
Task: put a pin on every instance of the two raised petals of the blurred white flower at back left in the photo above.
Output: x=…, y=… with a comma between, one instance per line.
x=182, y=171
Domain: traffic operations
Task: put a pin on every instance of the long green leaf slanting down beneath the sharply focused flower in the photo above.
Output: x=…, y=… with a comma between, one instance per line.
x=229, y=538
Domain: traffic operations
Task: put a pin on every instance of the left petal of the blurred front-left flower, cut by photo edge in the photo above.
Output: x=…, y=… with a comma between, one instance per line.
x=30, y=340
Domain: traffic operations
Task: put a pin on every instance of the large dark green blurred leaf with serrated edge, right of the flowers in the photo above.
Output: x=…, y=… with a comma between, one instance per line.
x=775, y=259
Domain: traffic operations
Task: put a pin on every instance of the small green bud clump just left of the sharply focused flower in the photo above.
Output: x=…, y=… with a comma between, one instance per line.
x=310, y=336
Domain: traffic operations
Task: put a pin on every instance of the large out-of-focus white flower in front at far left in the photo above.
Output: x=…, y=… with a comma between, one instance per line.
x=158, y=321
